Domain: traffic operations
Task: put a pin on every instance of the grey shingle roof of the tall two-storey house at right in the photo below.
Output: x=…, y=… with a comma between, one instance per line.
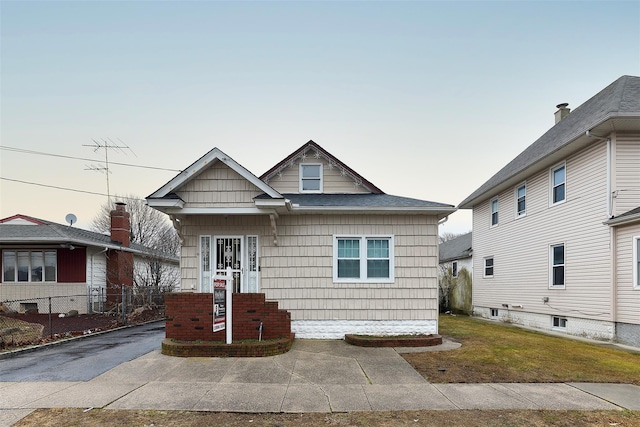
x=619, y=102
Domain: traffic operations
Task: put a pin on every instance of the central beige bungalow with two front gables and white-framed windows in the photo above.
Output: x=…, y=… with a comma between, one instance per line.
x=312, y=235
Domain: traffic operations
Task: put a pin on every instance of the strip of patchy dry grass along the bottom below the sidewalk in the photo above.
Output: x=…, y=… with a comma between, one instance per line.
x=106, y=417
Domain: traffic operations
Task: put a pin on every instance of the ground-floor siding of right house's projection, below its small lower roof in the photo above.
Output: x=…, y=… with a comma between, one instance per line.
x=628, y=298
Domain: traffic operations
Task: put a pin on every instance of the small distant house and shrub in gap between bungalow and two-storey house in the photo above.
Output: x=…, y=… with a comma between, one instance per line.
x=456, y=273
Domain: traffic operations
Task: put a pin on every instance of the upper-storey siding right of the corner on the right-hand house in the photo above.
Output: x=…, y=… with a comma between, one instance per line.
x=627, y=173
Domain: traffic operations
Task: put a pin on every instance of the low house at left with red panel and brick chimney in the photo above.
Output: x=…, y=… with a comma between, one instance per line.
x=42, y=259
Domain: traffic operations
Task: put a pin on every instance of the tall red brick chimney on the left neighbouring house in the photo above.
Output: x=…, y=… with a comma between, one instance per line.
x=119, y=262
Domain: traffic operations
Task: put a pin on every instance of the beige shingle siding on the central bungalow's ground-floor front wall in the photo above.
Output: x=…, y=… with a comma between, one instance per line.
x=298, y=273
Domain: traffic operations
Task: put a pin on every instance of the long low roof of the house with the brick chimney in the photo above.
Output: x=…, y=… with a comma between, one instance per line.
x=24, y=229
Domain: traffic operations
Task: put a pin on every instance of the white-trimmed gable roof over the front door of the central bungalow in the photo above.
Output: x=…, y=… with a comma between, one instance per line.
x=203, y=163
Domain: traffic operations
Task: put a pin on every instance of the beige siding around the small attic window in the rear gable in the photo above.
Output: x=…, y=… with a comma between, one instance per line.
x=333, y=181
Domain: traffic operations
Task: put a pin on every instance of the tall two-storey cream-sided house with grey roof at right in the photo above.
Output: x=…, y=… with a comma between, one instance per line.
x=555, y=232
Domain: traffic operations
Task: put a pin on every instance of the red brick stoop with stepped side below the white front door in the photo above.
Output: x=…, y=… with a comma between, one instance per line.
x=190, y=320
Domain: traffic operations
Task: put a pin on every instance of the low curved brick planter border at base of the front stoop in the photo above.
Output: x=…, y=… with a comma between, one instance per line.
x=173, y=347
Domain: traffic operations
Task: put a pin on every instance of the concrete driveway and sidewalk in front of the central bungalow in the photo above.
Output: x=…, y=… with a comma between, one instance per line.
x=315, y=376
